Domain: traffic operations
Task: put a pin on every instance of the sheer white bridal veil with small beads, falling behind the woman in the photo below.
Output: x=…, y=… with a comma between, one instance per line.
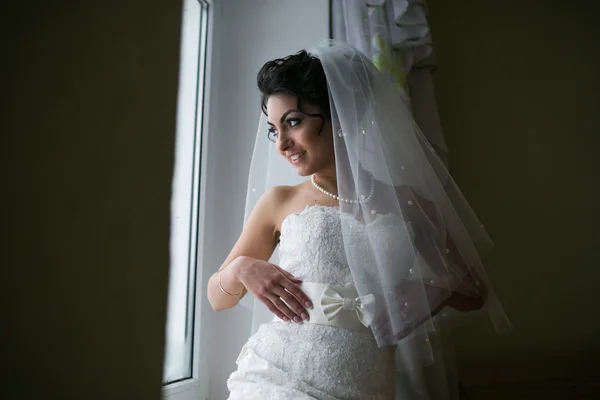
x=433, y=247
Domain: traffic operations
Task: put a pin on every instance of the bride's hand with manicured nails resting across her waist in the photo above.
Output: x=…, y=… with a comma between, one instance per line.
x=272, y=285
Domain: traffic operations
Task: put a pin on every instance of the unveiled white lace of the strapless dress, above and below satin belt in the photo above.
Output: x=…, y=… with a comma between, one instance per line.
x=285, y=360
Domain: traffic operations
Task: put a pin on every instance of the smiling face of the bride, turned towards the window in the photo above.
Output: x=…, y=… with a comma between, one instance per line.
x=296, y=134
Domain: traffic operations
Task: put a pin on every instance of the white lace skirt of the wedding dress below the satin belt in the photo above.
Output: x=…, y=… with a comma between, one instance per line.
x=310, y=361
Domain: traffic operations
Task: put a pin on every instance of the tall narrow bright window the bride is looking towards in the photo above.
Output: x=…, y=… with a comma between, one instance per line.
x=180, y=369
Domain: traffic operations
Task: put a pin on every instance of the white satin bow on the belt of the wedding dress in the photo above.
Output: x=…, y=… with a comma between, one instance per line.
x=332, y=304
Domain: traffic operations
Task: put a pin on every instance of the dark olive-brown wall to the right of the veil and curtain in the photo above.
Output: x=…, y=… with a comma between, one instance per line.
x=518, y=90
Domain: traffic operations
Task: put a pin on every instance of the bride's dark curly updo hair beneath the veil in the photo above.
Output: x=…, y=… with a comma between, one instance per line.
x=300, y=75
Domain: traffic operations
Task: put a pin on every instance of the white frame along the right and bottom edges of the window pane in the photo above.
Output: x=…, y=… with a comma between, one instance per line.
x=197, y=387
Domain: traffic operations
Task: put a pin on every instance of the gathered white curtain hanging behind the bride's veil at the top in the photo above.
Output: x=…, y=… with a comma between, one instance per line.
x=395, y=35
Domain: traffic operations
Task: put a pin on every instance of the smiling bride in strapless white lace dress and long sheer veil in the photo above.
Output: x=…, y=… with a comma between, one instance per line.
x=377, y=248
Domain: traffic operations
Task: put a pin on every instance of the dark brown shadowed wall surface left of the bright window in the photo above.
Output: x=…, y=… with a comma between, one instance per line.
x=89, y=132
